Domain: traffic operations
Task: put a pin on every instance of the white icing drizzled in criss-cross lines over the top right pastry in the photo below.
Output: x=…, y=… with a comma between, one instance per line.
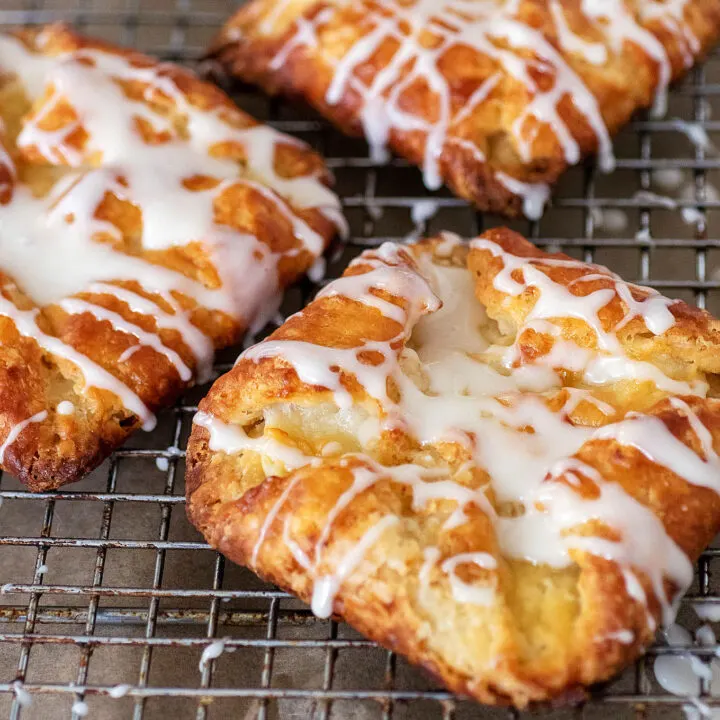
x=493, y=30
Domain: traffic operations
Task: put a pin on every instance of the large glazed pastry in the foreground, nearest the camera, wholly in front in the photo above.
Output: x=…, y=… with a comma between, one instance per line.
x=498, y=462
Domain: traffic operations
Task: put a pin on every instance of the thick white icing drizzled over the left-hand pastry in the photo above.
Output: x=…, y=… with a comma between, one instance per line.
x=49, y=245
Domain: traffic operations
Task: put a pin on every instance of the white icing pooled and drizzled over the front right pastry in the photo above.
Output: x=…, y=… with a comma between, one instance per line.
x=457, y=385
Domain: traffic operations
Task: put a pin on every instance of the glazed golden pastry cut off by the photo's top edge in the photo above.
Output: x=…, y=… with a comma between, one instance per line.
x=495, y=99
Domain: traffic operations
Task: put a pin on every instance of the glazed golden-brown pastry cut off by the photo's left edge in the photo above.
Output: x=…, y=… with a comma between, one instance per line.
x=145, y=221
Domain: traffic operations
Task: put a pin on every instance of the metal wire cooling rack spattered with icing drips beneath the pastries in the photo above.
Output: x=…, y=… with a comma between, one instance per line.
x=109, y=597
